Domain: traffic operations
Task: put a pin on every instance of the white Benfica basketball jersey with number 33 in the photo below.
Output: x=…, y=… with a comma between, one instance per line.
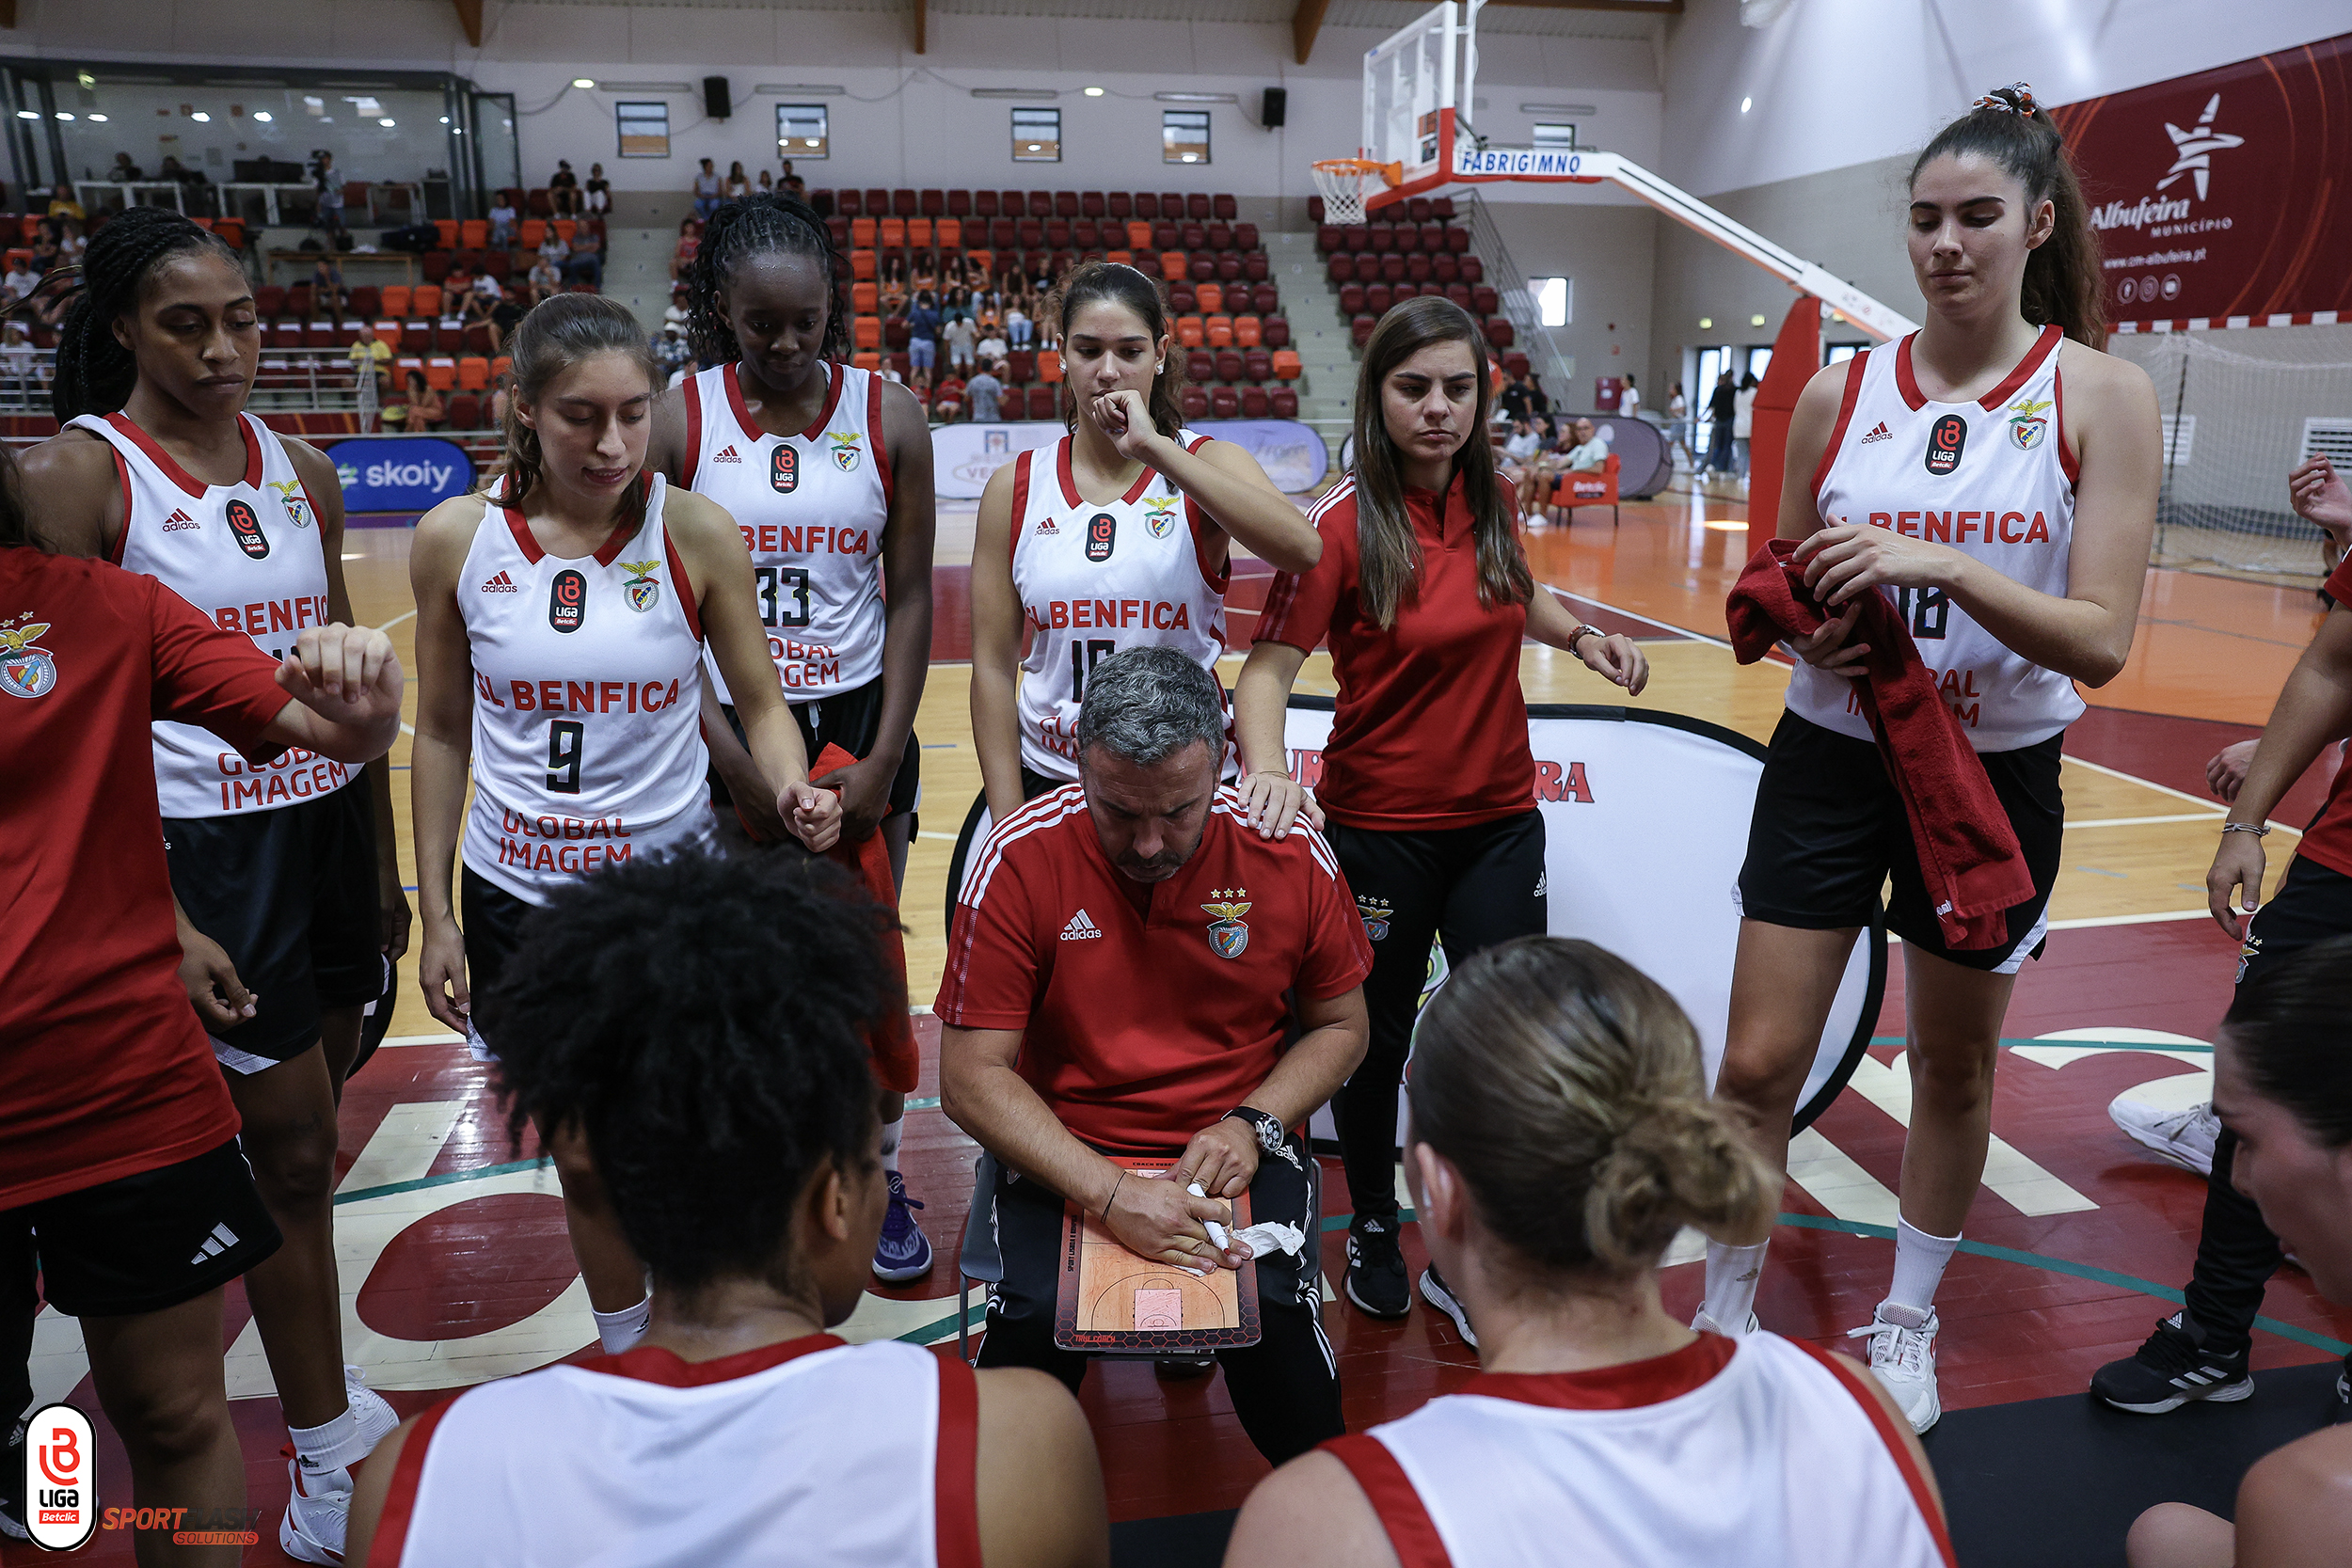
x=813, y=511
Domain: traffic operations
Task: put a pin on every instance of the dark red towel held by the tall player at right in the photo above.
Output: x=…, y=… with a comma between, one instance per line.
x=1967, y=850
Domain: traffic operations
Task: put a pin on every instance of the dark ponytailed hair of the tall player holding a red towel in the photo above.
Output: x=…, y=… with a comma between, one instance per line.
x=2062, y=276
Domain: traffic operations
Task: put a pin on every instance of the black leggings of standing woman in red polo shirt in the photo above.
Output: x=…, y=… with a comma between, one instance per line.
x=1471, y=887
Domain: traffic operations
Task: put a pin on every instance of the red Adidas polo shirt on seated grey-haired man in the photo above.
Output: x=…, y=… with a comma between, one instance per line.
x=1147, y=1026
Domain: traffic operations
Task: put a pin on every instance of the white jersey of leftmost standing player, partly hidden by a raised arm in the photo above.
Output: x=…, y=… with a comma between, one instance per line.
x=248, y=556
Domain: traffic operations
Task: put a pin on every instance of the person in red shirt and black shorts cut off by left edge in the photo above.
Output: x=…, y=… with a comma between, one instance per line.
x=119, y=1146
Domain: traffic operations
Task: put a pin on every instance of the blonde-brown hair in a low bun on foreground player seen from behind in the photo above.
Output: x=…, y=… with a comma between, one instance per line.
x=1565, y=1087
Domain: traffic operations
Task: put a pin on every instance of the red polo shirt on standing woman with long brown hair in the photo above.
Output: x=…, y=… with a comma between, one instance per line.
x=1431, y=728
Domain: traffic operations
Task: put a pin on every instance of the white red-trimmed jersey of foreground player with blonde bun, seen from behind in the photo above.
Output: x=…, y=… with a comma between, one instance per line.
x=1775, y=1461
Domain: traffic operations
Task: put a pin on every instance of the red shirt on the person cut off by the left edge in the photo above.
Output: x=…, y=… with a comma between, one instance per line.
x=105, y=1068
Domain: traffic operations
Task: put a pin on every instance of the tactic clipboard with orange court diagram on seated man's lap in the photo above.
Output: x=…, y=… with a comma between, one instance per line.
x=1114, y=1304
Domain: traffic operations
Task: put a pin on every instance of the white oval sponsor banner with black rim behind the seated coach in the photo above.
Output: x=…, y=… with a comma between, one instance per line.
x=1645, y=822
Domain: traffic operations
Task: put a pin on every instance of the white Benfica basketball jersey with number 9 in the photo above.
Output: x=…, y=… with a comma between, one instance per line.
x=587, y=704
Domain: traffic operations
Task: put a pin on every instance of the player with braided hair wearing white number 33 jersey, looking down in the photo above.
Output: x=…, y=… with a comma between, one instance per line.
x=827, y=471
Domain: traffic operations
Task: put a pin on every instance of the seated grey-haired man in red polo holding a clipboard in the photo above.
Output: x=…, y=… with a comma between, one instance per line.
x=1123, y=972
